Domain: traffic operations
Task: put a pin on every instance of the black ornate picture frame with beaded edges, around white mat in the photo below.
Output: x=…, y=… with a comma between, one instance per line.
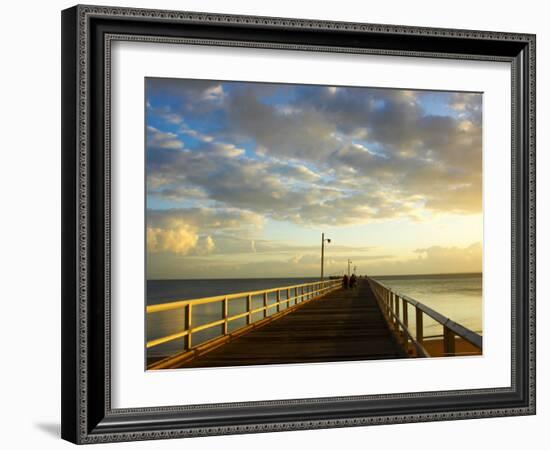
x=87, y=416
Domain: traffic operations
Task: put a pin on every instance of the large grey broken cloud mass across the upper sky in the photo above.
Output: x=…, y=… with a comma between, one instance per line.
x=344, y=143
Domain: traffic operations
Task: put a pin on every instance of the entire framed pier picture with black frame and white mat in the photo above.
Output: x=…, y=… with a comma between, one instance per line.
x=280, y=224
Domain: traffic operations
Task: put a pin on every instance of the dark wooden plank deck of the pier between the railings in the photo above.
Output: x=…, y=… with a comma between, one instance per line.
x=346, y=325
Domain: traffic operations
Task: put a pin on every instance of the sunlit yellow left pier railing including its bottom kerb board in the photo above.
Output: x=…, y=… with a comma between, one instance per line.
x=288, y=298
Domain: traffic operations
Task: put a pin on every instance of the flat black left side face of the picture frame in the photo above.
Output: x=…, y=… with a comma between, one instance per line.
x=69, y=289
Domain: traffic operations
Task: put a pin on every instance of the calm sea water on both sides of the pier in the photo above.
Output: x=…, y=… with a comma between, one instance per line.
x=457, y=296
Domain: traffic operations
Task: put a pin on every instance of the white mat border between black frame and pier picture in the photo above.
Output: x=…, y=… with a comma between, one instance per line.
x=132, y=386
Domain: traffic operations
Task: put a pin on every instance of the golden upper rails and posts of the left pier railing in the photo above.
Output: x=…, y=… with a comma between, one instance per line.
x=308, y=292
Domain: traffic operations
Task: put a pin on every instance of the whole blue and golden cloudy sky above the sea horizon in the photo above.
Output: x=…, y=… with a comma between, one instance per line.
x=242, y=179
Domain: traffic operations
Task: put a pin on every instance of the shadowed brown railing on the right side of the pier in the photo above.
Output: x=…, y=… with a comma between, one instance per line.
x=394, y=306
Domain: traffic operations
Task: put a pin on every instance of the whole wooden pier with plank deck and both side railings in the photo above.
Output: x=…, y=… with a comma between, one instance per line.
x=315, y=322
